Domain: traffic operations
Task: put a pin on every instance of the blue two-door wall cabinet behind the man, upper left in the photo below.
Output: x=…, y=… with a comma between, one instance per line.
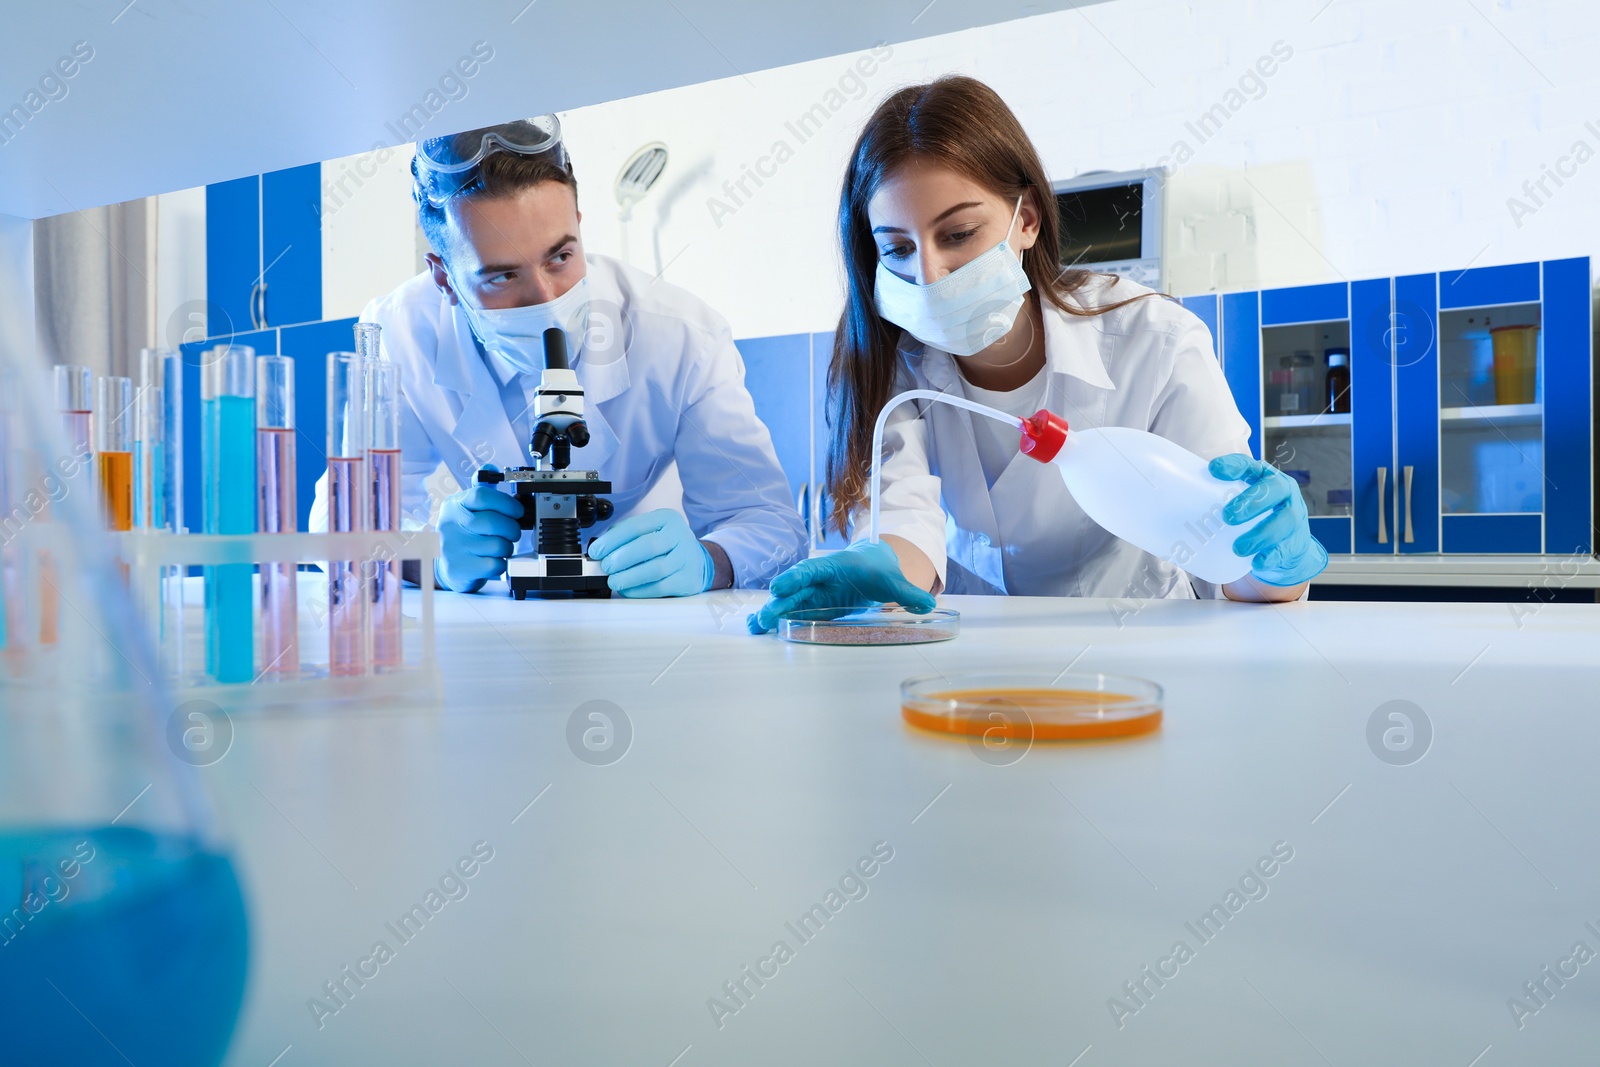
x=265, y=250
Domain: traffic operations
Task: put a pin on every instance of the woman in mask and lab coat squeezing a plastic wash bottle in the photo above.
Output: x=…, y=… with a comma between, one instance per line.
x=954, y=284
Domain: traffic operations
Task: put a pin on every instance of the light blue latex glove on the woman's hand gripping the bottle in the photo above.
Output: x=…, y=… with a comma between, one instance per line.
x=1286, y=554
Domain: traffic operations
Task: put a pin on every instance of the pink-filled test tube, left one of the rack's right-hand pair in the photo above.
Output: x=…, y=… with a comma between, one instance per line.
x=346, y=511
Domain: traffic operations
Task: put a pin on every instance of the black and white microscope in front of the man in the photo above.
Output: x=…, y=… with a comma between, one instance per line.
x=556, y=502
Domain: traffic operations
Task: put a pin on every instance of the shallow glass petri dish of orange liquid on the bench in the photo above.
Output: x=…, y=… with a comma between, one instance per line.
x=1084, y=706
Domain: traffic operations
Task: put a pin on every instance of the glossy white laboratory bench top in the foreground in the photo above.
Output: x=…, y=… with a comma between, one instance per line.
x=1020, y=898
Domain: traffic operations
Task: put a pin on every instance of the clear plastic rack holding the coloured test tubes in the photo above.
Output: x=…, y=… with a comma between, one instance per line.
x=153, y=556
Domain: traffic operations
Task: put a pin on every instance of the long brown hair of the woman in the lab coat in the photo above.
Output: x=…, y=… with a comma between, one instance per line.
x=961, y=124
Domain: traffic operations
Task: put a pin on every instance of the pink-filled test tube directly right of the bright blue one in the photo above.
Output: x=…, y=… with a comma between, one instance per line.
x=278, y=513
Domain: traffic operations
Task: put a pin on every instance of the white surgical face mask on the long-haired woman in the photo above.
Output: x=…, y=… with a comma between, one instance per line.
x=966, y=311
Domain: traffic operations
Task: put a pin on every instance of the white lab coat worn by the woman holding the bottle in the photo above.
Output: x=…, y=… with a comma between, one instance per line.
x=1150, y=366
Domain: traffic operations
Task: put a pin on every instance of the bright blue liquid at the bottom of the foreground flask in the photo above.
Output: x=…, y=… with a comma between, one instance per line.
x=118, y=946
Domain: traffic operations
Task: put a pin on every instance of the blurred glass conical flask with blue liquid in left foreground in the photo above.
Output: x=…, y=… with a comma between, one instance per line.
x=122, y=925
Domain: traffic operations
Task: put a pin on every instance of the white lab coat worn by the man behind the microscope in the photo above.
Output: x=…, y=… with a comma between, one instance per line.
x=665, y=399
